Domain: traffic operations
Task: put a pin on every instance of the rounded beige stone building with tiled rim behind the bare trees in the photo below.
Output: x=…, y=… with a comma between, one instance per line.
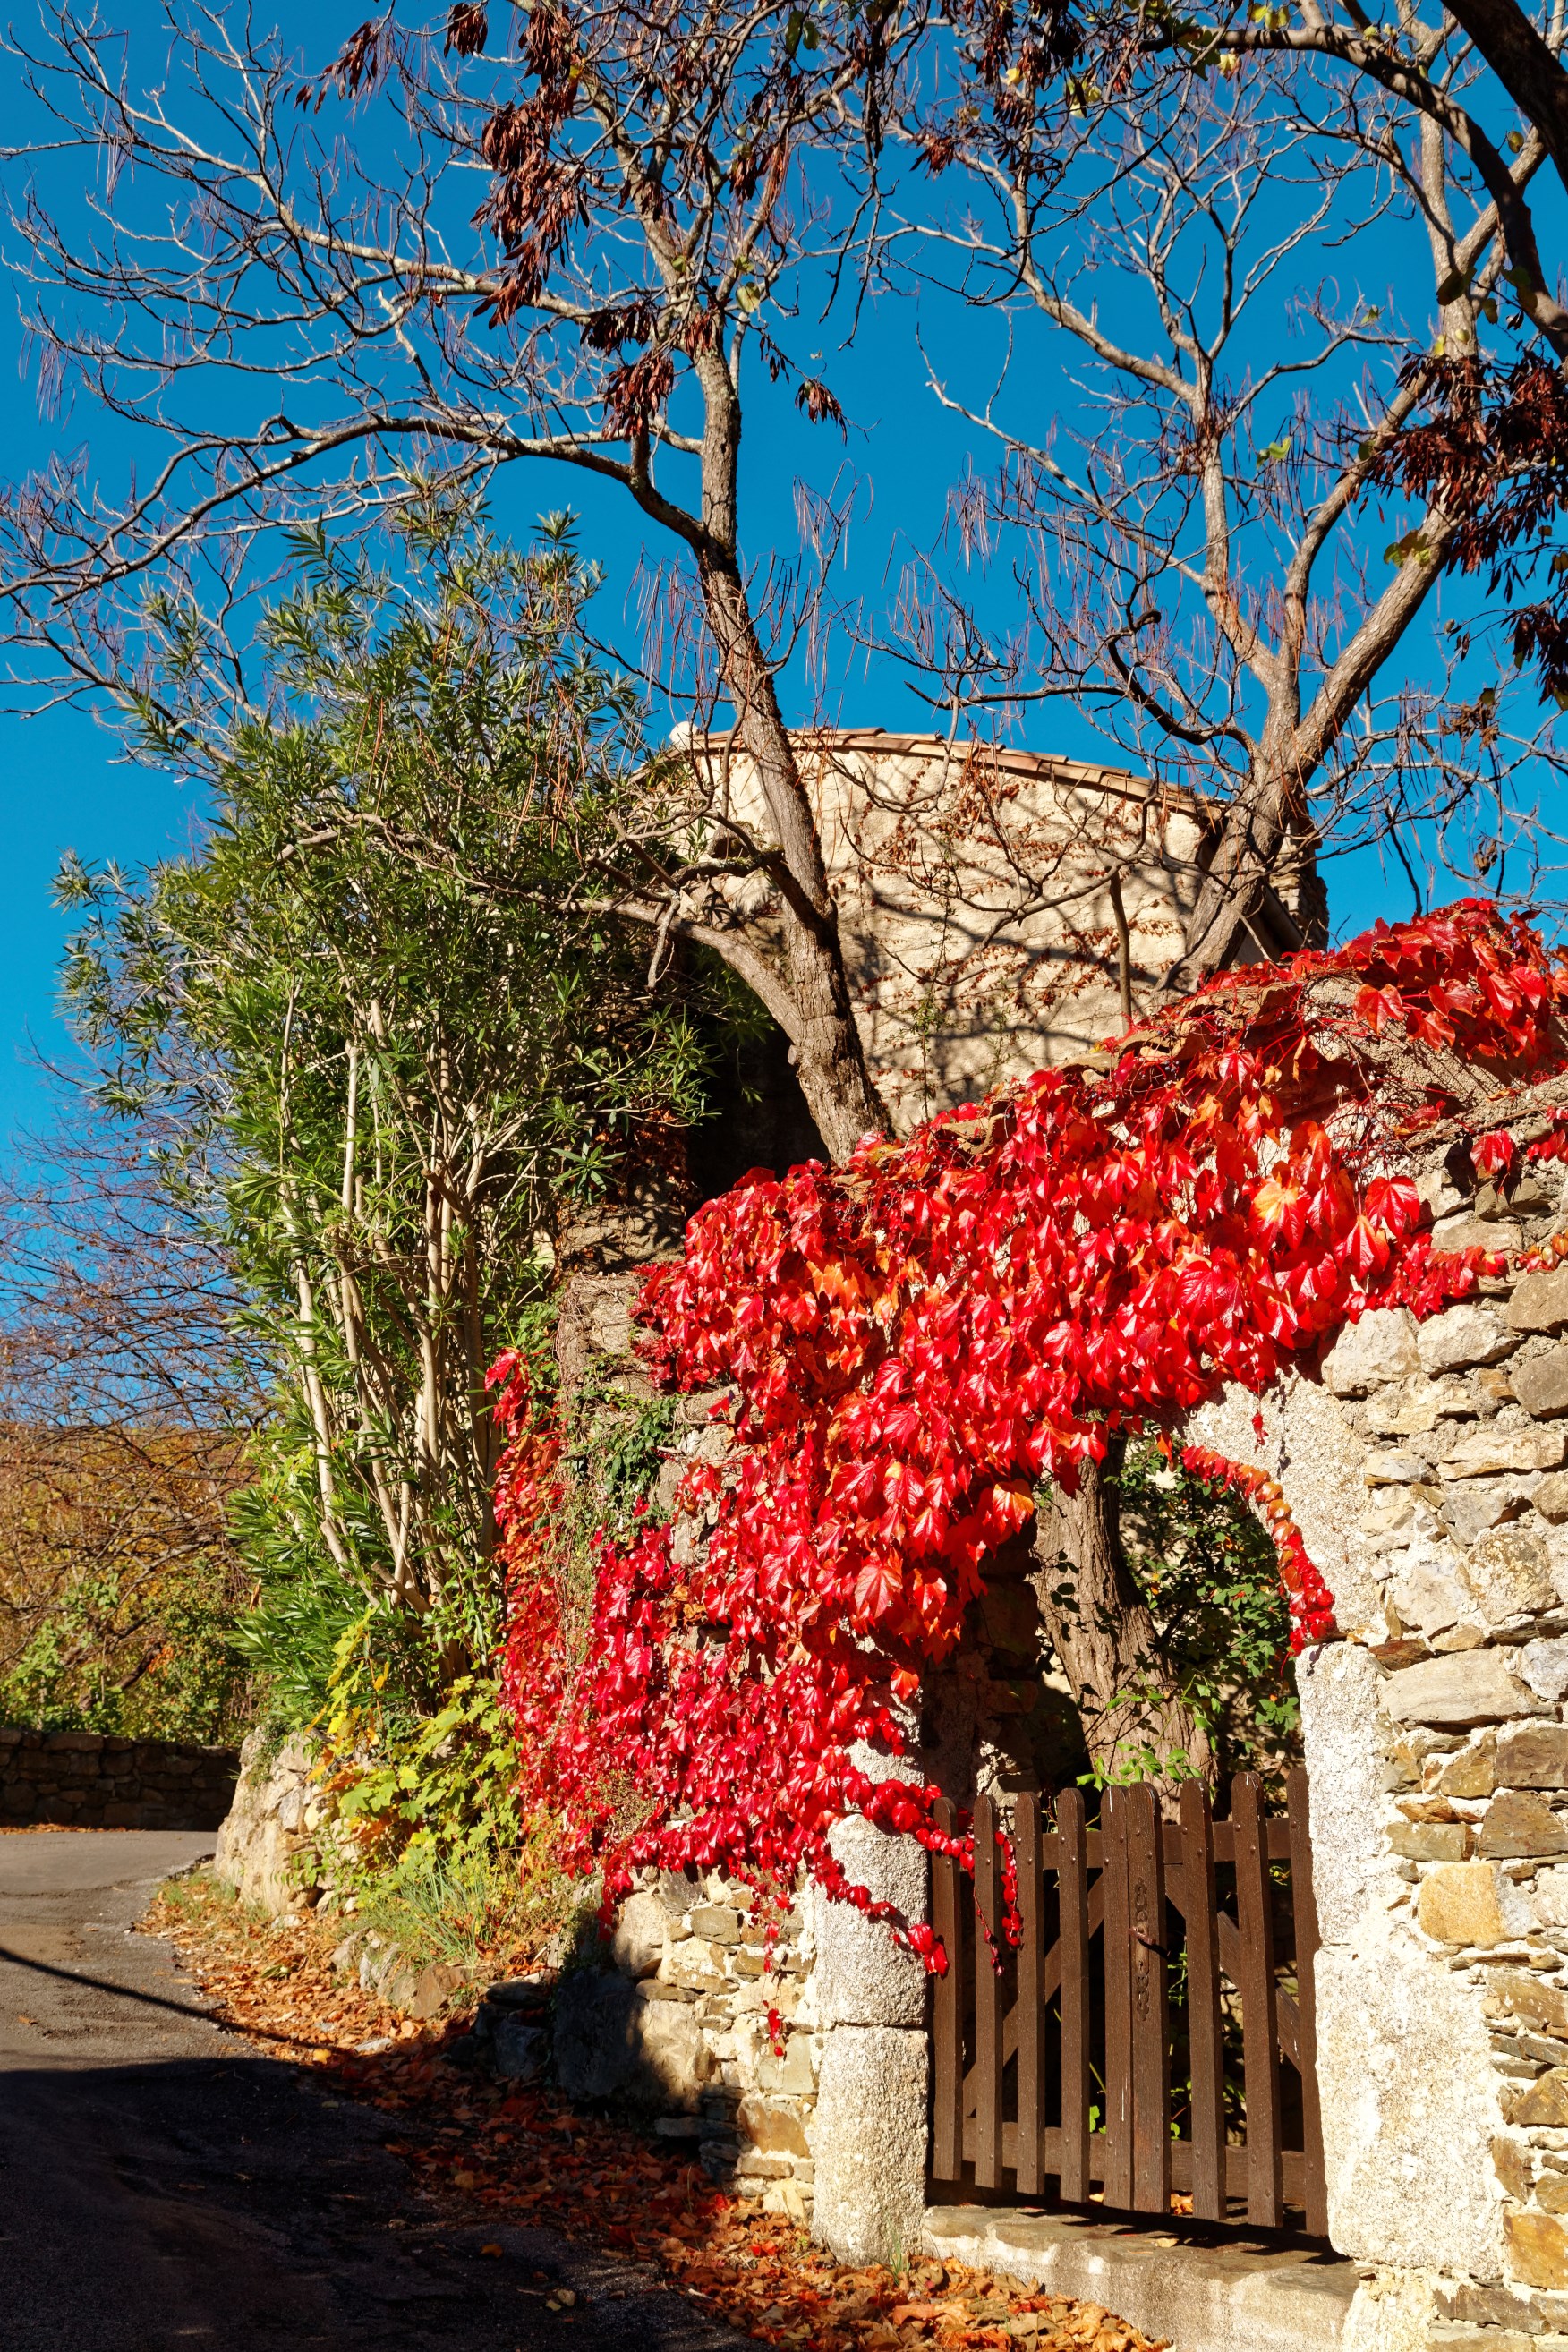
x=977, y=902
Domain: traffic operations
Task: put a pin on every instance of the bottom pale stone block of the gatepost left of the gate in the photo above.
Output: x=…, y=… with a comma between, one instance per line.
x=871, y=2144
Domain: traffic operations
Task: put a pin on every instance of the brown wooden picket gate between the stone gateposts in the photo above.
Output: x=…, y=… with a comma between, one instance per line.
x=1146, y=1984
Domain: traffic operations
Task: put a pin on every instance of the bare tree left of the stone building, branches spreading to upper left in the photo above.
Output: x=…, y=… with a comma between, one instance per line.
x=297, y=333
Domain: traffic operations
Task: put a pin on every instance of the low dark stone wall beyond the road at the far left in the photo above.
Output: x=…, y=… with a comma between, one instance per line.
x=93, y=1782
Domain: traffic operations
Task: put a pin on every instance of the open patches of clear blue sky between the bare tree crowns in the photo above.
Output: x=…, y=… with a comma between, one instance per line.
x=65, y=787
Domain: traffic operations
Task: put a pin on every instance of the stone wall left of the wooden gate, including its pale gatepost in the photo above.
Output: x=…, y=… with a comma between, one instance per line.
x=800, y=2076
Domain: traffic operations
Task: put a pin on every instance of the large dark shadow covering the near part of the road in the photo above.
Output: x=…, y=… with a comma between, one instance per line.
x=229, y=2203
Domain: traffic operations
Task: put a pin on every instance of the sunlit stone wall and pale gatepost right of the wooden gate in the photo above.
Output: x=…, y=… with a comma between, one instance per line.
x=1426, y=1474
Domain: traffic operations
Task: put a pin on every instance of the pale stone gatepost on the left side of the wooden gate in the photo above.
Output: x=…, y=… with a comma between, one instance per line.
x=869, y=2000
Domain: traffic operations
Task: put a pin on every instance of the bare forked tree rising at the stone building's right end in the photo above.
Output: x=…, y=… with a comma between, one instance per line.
x=1198, y=542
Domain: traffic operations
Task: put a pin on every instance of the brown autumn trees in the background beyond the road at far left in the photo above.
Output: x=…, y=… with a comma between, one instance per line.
x=128, y=1398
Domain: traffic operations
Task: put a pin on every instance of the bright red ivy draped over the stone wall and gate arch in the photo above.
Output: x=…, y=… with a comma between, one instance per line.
x=911, y=1342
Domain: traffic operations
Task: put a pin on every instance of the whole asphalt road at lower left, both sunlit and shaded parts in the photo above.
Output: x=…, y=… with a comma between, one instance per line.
x=166, y=2189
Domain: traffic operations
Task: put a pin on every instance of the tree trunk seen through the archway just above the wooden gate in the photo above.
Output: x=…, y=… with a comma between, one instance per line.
x=1134, y=1718
